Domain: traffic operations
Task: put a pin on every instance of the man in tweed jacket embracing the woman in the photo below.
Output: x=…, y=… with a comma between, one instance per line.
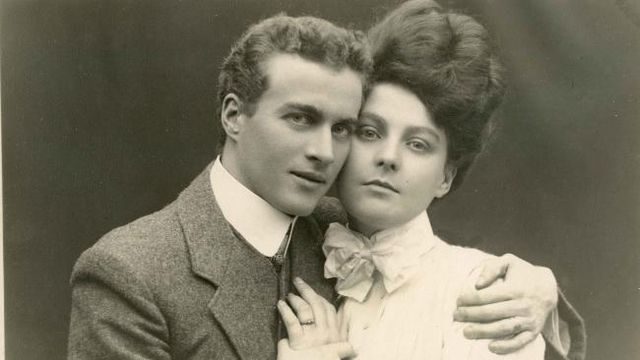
x=201, y=277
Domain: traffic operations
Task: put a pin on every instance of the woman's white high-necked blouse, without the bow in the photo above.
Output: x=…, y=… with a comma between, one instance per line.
x=415, y=321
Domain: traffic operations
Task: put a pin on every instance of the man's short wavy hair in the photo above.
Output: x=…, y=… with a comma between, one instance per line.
x=309, y=37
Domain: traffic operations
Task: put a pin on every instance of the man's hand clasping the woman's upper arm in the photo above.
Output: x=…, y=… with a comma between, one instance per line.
x=510, y=303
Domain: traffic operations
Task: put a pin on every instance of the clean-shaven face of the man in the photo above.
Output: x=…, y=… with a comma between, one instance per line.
x=291, y=149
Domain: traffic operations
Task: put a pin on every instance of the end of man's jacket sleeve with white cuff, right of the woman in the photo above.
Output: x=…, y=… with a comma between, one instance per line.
x=564, y=333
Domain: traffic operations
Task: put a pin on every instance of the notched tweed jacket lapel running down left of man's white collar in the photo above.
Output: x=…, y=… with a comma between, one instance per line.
x=244, y=301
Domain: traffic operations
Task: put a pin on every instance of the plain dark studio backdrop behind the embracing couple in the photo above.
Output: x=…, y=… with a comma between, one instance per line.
x=108, y=112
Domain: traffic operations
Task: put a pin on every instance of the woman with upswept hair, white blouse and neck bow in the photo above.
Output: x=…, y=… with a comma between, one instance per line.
x=435, y=84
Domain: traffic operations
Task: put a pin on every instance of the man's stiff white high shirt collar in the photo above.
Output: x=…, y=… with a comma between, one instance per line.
x=263, y=226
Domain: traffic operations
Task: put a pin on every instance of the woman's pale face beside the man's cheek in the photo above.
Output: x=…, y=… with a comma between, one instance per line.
x=397, y=164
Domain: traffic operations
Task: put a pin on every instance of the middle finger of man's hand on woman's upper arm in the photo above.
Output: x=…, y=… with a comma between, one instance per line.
x=491, y=312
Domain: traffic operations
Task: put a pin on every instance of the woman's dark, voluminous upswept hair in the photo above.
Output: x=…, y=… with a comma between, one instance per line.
x=447, y=61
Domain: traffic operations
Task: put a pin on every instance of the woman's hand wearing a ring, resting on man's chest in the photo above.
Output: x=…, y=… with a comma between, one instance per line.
x=312, y=322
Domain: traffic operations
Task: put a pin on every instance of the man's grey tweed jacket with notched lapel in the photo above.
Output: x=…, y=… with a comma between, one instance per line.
x=178, y=284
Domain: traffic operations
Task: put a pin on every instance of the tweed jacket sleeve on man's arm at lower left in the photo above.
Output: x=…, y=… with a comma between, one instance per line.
x=113, y=315
